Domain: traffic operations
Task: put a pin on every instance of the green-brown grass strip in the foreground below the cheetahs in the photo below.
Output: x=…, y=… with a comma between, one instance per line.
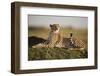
x=55, y=53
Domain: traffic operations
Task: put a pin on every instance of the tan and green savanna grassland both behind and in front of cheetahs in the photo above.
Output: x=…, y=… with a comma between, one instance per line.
x=57, y=53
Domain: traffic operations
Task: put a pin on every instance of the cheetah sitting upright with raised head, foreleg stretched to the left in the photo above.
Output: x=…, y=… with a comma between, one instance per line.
x=54, y=39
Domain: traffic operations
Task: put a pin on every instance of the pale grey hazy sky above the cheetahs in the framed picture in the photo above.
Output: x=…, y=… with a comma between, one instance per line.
x=64, y=21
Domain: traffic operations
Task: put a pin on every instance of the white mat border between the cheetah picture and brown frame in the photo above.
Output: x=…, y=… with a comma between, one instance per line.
x=25, y=64
